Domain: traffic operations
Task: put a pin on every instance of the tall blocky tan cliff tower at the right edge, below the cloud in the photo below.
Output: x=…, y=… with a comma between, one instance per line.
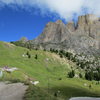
x=89, y=25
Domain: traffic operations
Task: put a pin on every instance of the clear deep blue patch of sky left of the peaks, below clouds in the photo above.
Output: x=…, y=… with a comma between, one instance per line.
x=15, y=24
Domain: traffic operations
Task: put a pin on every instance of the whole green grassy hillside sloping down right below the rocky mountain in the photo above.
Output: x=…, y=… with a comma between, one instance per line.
x=47, y=68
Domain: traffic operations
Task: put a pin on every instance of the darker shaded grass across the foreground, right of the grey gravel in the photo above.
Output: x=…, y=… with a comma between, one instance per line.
x=66, y=92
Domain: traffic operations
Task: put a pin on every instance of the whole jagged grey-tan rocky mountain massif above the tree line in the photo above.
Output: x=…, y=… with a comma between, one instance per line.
x=83, y=37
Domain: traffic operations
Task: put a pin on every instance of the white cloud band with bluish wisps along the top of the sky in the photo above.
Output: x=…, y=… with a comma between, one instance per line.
x=65, y=9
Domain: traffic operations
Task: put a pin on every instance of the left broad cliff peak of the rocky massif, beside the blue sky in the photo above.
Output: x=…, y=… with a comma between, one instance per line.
x=53, y=32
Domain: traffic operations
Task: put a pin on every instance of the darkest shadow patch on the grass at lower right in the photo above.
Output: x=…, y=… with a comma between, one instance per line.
x=68, y=92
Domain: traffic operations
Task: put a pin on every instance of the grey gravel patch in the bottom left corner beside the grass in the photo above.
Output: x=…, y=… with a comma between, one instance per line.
x=14, y=91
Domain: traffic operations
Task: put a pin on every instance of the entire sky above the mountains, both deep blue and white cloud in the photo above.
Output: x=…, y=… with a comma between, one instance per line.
x=27, y=18
